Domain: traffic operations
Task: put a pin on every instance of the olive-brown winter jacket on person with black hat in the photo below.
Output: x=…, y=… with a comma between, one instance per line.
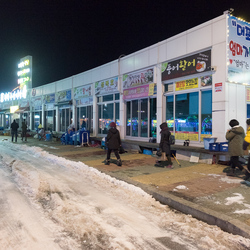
x=235, y=136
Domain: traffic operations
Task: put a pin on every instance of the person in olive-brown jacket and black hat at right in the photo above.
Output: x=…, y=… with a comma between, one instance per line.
x=235, y=137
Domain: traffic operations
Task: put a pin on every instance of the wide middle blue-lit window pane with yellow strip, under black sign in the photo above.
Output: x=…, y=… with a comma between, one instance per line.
x=186, y=116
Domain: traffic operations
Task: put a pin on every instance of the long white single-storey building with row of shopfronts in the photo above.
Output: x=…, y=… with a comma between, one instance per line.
x=196, y=81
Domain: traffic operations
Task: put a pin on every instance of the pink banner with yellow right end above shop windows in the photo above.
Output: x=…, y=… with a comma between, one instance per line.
x=139, y=92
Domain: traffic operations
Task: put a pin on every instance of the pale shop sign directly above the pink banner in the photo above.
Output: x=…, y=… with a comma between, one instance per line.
x=139, y=78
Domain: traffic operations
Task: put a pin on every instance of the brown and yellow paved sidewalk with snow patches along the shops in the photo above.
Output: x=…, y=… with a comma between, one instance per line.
x=201, y=190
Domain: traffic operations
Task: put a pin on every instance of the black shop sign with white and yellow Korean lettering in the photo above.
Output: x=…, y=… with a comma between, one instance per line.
x=189, y=65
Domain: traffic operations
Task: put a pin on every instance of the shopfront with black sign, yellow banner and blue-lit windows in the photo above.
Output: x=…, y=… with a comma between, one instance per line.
x=188, y=102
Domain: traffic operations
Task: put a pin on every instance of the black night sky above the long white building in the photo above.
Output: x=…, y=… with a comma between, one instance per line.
x=68, y=37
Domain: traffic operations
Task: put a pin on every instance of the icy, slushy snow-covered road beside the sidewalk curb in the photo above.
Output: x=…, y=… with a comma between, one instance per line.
x=48, y=202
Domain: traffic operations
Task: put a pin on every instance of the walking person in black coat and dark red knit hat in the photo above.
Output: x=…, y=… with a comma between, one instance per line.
x=113, y=143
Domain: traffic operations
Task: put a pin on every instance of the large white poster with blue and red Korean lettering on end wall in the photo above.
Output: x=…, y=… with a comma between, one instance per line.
x=238, y=51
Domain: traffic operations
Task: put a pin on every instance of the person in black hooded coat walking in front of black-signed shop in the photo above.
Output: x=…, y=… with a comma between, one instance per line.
x=165, y=145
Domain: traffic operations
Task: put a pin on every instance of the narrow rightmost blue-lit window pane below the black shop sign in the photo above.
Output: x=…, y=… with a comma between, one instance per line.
x=206, y=114
